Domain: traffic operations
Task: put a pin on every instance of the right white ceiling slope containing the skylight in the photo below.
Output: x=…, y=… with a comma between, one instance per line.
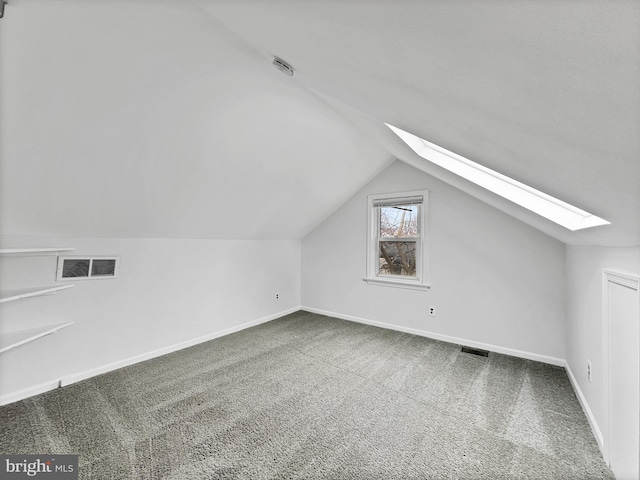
x=547, y=93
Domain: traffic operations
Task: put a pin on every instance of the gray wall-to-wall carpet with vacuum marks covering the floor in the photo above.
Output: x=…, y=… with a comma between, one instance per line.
x=307, y=396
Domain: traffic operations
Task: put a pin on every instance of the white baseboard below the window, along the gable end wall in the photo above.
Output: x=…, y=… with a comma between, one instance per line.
x=445, y=338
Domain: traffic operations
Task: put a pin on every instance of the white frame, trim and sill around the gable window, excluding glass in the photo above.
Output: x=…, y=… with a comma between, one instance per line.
x=373, y=277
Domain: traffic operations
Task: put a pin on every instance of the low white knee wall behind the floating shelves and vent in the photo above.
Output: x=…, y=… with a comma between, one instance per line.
x=168, y=291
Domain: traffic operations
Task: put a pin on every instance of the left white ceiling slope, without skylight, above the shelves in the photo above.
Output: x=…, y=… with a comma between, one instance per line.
x=150, y=119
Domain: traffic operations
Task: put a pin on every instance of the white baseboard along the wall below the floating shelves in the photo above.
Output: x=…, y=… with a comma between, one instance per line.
x=77, y=377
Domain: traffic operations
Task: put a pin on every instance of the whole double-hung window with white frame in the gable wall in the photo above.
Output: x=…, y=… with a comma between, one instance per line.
x=396, y=253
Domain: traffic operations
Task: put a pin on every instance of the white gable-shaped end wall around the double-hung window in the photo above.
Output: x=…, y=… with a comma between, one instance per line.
x=495, y=280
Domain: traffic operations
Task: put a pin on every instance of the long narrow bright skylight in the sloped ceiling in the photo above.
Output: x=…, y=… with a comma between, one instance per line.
x=538, y=202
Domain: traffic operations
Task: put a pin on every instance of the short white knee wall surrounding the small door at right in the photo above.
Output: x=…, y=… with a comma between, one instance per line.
x=584, y=266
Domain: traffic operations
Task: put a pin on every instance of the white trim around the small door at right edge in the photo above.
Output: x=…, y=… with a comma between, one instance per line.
x=626, y=280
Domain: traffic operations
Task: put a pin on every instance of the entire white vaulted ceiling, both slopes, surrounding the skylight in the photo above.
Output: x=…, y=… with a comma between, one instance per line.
x=158, y=118
